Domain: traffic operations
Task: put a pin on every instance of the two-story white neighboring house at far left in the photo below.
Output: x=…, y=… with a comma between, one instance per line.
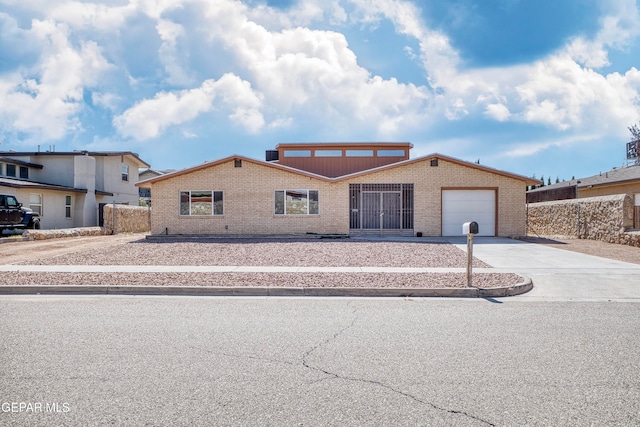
x=67, y=188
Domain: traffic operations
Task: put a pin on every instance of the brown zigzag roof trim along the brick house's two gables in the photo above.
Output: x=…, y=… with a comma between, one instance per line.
x=528, y=181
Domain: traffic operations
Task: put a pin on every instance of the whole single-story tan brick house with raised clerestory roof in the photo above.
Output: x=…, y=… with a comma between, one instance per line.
x=338, y=189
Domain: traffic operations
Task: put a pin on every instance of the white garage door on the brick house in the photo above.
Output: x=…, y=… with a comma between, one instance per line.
x=460, y=206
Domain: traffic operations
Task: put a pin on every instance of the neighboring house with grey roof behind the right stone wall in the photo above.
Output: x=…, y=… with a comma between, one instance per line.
x=624, y=180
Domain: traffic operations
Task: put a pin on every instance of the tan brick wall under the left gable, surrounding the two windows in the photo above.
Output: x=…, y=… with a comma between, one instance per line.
x=248, y=193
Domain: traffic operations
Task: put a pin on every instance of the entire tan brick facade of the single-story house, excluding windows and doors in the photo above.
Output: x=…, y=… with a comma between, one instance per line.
x=249, y=197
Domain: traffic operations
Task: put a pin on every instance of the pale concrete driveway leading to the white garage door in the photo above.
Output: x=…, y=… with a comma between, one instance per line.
x=558, y=274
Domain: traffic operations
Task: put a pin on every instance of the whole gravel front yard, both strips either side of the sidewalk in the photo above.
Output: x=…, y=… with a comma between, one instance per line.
x=256, y=252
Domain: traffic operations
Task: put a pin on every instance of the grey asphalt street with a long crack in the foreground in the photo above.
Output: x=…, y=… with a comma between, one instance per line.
x=122, y=360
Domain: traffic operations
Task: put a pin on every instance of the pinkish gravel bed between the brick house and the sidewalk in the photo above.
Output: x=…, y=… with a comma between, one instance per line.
x=271, y=252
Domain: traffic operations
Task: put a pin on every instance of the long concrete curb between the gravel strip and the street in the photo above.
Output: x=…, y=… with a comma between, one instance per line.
x=518, y=289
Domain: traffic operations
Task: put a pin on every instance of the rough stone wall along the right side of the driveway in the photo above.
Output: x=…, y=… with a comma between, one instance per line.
x=607, y=218
